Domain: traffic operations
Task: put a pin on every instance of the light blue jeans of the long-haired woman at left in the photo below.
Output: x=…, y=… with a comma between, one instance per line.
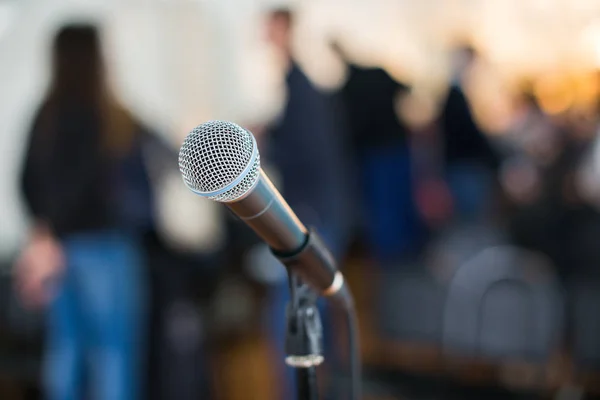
x=96, y=322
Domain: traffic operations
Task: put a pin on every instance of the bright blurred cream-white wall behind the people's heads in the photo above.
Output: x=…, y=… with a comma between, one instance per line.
x=180, y=62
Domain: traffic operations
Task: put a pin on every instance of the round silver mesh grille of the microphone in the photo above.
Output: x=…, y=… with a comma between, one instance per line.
x=219, y=160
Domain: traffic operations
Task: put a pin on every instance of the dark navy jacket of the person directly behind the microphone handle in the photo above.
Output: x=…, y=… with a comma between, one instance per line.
x=305, y=147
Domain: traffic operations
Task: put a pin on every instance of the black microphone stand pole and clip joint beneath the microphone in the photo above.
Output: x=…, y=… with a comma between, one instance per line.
x=304, y=338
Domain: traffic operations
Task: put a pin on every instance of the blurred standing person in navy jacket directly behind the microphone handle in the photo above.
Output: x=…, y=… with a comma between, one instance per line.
x=305, y=146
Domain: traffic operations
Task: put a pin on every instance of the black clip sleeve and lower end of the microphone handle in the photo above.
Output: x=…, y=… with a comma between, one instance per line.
x=316, y=266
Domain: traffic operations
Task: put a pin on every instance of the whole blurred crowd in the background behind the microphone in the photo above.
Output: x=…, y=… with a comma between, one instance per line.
x=480, y=243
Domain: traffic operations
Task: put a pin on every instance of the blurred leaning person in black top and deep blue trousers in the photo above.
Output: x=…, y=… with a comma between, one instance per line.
x=393, y=227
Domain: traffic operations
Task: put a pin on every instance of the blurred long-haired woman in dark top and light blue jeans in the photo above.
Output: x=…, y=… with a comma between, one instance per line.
x=85, y=184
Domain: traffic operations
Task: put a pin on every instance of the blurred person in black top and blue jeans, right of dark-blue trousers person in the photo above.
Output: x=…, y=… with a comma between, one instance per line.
x=469, y=159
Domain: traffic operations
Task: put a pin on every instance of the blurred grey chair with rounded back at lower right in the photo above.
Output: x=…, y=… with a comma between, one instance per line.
x=504, y=303
